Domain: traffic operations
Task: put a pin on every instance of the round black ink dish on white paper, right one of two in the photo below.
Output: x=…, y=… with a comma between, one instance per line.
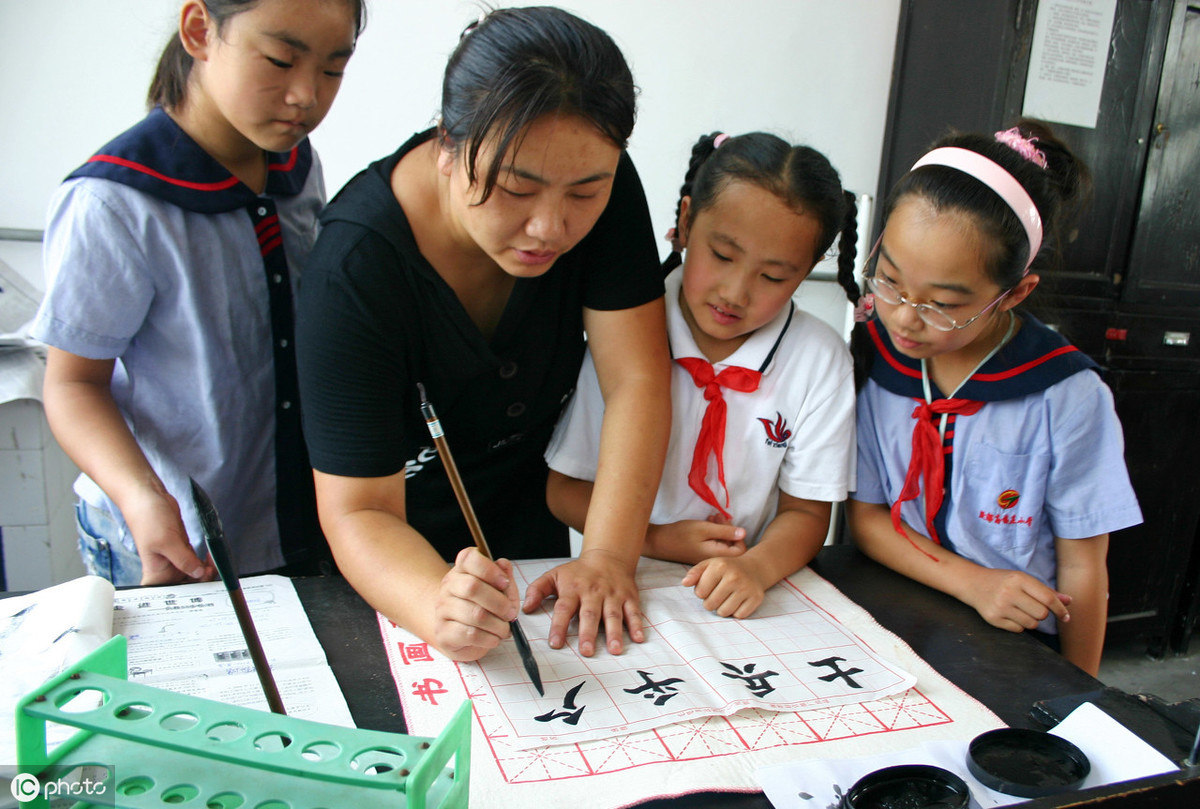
x=1029, y=764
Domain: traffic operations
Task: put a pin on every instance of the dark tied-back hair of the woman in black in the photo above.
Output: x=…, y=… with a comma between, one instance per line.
x=517, y=65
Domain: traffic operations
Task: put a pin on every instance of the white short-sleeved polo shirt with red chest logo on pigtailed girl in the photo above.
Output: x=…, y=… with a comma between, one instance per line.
x=796, y=433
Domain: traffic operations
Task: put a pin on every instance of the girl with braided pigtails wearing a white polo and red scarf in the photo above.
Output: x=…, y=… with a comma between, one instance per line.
x=763, y=432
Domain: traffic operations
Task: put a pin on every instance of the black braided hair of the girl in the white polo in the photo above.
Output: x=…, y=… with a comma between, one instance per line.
x=801, y=177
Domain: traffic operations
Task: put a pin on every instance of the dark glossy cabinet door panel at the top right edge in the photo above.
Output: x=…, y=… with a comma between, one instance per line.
x=1165, y=266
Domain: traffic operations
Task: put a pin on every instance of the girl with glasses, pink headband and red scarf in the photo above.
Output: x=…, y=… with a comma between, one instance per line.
x=991, y=459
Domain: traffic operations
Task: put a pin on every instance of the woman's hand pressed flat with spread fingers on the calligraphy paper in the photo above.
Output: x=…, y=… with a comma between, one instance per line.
x=601, y=589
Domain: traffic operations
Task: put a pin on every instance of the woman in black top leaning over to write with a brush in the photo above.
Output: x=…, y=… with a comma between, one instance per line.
x=473, y=261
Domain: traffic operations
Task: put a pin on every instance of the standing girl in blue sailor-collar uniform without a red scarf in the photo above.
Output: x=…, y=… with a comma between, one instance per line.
x=172, y=257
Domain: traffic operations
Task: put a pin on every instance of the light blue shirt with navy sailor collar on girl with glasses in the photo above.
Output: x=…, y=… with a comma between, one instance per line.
x=1043, y=458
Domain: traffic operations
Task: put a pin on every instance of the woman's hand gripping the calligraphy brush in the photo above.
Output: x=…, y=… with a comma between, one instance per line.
x=476, y=603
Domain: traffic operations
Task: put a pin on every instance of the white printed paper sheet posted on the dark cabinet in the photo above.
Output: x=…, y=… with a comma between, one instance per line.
x=1067, y=61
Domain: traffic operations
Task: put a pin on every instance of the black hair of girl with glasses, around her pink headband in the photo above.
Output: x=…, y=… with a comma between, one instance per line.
x=1058, y=191
